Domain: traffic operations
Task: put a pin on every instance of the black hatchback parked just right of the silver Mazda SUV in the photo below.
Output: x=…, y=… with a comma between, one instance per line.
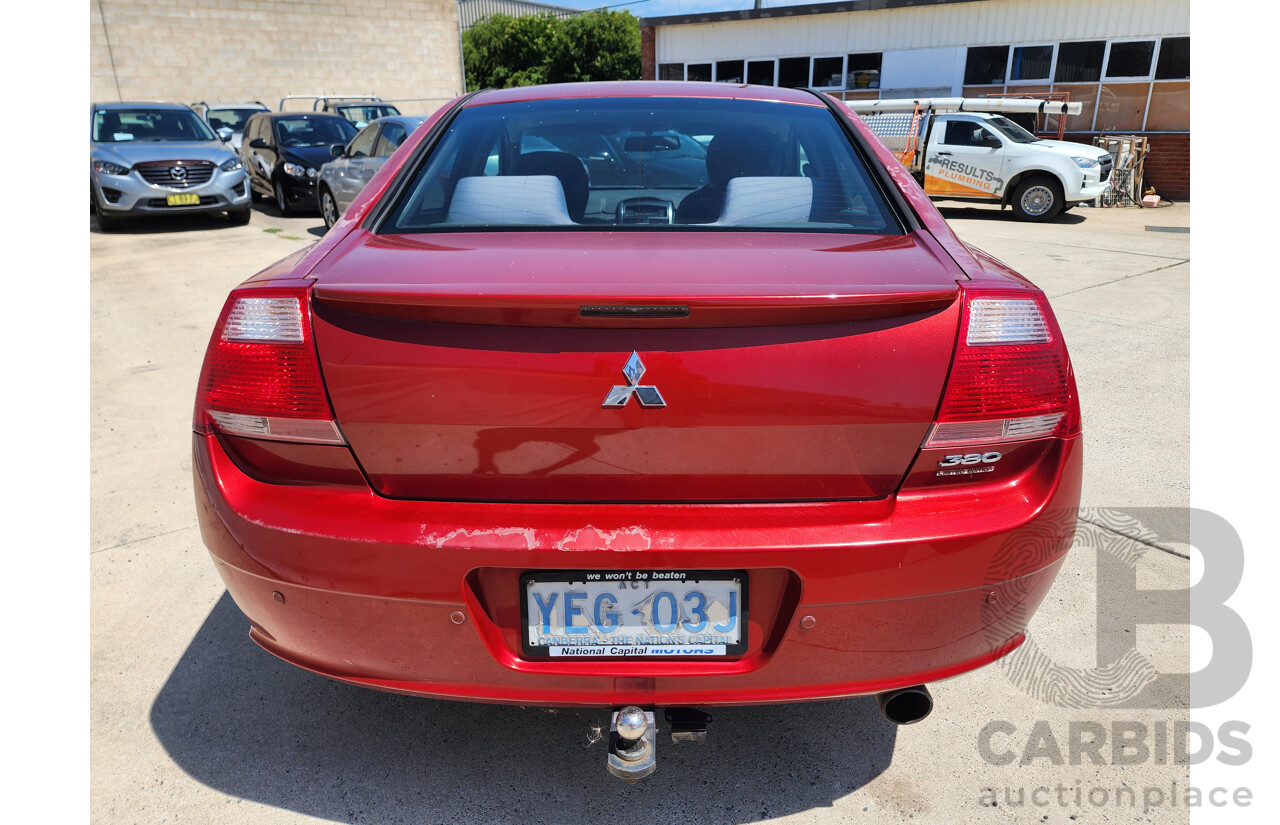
x=284, y=154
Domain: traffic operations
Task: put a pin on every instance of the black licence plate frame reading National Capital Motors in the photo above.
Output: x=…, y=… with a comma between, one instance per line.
x=655, y=579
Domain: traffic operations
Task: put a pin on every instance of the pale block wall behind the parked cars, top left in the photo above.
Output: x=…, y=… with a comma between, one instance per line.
x=243, y=51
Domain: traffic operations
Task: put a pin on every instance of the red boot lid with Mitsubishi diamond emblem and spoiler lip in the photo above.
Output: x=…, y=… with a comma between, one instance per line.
x=499, y=366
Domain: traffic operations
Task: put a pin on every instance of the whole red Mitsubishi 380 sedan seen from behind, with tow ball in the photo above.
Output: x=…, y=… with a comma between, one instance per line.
x=639, y=395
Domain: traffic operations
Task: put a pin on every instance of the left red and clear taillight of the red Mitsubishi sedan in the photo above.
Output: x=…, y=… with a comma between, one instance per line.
x=262, y=378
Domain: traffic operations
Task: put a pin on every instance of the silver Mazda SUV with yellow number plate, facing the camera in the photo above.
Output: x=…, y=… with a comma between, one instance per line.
x=161, y=159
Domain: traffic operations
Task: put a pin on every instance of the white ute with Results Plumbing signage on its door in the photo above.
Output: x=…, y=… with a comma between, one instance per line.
x=966, y=149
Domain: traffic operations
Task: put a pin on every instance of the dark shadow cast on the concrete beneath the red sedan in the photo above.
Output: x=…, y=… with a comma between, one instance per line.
x=249, y=726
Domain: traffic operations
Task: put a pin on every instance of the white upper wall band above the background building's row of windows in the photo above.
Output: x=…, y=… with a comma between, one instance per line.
x=993, y=22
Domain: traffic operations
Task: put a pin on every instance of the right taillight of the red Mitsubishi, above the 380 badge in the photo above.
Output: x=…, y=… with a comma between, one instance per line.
x=1012, y=378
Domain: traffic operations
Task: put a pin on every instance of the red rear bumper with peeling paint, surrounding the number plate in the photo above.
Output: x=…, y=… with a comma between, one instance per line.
x=899, y=592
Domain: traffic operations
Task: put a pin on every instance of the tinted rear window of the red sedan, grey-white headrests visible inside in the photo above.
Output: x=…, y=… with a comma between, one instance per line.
x=643, y=163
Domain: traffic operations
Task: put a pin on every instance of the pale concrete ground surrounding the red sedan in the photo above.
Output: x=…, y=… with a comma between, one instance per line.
x=191, y=722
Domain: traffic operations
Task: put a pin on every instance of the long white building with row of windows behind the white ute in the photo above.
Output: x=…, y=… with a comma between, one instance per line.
x=1128, y=62
